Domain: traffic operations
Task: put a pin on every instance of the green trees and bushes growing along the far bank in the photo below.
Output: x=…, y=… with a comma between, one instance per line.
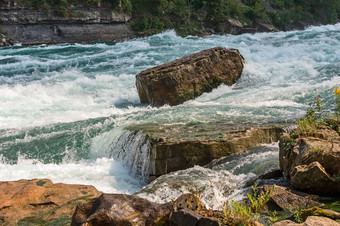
x=190, y=16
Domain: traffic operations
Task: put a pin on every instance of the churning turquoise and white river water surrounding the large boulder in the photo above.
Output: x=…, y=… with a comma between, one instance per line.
x=63, y=108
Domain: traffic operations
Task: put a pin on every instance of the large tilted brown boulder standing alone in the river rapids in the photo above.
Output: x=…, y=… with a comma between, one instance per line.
x=186, y=78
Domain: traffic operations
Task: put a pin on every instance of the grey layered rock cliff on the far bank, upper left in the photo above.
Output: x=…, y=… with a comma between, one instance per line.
x=80, y=23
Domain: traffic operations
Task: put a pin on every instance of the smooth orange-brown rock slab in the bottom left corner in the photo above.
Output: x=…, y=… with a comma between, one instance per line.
x=40, y=202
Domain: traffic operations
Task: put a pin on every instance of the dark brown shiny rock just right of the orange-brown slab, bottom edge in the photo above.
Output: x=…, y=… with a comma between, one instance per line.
x=119, y=209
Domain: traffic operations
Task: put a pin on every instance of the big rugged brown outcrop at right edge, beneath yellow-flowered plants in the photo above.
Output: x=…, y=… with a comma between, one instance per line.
x=312, y=162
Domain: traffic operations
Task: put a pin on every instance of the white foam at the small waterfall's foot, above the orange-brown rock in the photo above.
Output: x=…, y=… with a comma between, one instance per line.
x=107, y=175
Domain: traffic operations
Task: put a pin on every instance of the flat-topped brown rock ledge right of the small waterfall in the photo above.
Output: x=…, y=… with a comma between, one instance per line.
x=170, y=154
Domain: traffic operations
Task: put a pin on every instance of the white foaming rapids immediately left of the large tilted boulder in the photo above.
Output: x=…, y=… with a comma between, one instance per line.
x=67, y=97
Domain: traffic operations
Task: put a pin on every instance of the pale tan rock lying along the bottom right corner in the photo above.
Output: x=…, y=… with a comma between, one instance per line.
x=311, y=221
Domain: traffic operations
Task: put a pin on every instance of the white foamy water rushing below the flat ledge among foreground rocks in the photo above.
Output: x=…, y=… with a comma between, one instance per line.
x=218, y=182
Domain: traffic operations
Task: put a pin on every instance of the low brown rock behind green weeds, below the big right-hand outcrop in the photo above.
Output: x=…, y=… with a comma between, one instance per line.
x=283, y=199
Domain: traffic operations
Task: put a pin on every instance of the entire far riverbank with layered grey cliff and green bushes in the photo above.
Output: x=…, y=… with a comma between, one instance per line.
x=74, y=21
